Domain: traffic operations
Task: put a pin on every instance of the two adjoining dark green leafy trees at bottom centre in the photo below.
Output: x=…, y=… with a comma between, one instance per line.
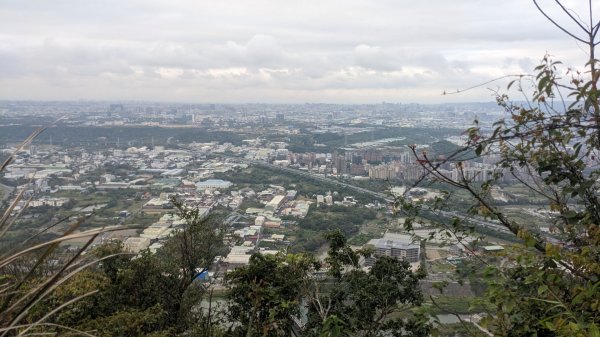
x=285, y=294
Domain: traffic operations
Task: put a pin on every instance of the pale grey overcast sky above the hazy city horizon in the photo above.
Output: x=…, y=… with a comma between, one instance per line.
x=236, y=51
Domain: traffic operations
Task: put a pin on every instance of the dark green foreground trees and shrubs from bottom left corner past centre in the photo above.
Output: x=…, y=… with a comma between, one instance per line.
x=161, y=294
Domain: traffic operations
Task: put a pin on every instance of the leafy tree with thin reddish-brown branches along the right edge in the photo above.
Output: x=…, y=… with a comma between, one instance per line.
x=549, y=283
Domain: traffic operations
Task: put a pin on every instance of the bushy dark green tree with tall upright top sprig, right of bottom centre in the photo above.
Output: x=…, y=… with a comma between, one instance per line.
x=381, y=301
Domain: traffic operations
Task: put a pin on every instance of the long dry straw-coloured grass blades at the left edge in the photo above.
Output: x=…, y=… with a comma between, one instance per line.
x=24, y=285
